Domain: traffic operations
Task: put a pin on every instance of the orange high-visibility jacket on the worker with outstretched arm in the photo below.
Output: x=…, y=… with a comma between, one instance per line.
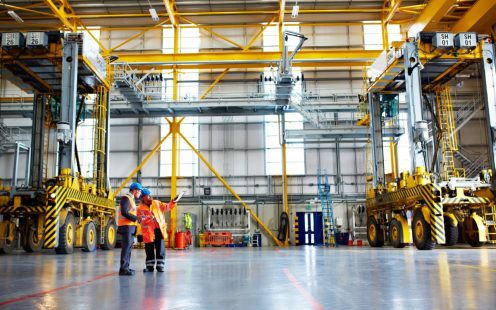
x=153, y=217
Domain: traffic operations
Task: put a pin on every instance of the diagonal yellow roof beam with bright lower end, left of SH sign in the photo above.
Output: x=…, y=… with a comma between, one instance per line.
x=432, y=13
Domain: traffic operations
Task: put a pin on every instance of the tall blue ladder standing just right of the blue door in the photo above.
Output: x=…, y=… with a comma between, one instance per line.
x=329, y=227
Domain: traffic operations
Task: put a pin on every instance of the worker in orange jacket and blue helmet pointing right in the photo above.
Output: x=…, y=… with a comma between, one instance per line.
x=154, y=228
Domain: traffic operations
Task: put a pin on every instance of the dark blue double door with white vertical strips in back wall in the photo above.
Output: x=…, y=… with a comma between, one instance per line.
x=310, y=228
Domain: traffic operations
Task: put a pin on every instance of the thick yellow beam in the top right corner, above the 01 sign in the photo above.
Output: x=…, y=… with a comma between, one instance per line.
x=480, y=17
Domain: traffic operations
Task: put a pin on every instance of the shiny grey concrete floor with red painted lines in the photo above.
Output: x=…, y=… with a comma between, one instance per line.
x=254, y=278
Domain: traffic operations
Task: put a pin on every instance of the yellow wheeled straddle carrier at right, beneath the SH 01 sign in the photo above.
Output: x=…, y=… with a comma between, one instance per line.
x=435, y=208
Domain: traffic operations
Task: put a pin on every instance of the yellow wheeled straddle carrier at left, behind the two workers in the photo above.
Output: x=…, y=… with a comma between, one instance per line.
x=64, y=212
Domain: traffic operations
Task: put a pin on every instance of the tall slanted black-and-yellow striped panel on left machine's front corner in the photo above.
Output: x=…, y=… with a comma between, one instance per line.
x=52, y=215
